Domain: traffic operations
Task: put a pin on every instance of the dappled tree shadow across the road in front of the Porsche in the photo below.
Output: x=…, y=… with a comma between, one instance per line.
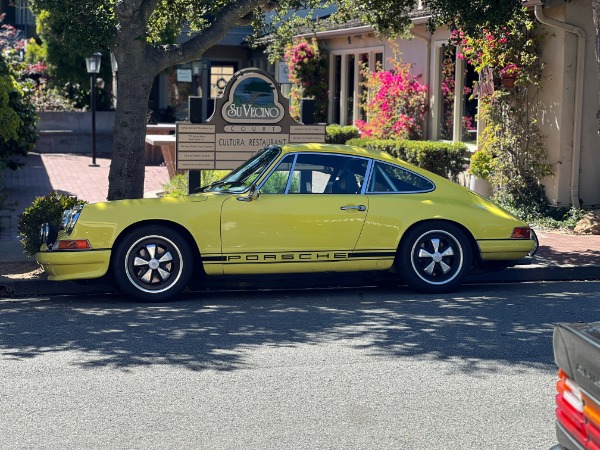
x=475, y=329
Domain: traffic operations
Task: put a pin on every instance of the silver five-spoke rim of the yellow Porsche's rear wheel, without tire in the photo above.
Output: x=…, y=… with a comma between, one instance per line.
x=437, y=257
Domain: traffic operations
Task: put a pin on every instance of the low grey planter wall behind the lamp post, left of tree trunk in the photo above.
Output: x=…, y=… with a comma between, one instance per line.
x=71, y=132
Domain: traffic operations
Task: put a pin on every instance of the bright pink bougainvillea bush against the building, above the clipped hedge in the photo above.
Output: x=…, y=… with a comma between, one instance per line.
x=394, y=101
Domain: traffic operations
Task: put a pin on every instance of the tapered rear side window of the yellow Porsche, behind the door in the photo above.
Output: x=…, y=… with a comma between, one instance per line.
x=390, y=178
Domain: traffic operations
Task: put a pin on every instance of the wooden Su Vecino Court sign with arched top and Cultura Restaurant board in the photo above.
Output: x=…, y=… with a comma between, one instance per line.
x=250, y=115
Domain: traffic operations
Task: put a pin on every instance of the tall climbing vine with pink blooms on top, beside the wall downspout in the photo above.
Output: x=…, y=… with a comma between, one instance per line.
x=512, y=156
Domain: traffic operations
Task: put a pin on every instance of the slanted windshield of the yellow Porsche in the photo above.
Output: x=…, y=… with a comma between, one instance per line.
x=242, y=178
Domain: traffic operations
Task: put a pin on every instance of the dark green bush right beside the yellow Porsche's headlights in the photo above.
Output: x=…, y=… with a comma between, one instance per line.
x=43, y=209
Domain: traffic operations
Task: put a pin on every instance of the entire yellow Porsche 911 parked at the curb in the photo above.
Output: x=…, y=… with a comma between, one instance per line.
x=291, y=209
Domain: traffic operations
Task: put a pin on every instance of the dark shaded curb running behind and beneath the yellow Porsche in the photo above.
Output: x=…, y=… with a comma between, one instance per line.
x=10, y=288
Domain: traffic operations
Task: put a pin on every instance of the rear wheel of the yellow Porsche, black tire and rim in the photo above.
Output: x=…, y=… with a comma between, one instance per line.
x=435, y=257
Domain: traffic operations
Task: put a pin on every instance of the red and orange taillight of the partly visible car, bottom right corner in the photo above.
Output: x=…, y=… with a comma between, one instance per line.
x=577, y=412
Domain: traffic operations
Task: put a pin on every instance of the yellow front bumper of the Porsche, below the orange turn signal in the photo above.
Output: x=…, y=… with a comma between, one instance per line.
x=74, y=265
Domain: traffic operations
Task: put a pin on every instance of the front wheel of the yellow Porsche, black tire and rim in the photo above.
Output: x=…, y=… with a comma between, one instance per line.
x=153, y=263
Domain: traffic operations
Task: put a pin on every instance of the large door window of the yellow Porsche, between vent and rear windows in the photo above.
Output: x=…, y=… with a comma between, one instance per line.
x=328, y=174
